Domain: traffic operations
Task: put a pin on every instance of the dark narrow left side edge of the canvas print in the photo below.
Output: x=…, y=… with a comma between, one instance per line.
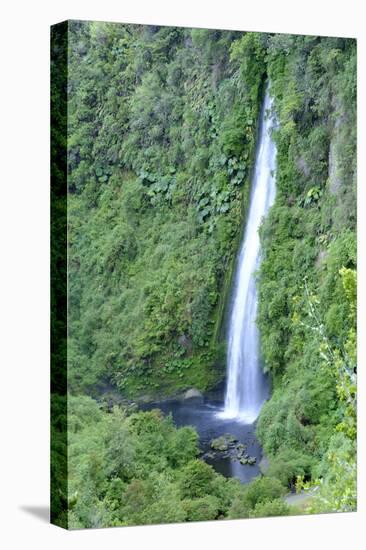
x=58, y=259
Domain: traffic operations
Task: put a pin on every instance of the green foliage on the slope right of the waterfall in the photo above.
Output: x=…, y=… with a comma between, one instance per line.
x=307, y=279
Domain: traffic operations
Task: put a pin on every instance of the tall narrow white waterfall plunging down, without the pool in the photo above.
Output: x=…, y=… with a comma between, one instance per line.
x=247, y=386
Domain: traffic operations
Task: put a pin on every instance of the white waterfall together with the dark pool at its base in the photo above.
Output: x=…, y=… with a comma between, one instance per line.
x=246, y=387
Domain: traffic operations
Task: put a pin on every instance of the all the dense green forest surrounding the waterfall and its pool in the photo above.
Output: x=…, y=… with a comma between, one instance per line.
x=161, y=138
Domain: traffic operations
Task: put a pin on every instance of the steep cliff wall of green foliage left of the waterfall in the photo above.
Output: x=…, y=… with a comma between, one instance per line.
x=162, y=127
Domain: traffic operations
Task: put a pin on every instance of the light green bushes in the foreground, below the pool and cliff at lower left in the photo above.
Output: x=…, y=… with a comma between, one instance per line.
x=137, y=468
